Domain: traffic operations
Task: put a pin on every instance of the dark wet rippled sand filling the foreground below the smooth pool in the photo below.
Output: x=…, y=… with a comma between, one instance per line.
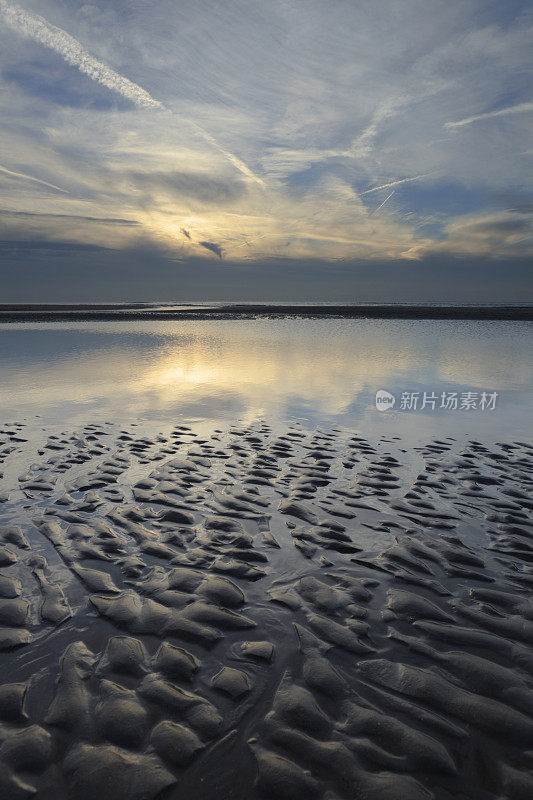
x=258, y=613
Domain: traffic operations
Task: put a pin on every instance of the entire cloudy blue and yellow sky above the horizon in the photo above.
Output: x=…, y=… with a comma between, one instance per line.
x=265, y=150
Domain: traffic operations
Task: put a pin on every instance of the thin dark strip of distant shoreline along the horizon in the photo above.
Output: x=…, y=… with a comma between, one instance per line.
x=139, y=311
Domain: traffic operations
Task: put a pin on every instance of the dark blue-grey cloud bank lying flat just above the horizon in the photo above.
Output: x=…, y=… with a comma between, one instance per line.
x=59, y=272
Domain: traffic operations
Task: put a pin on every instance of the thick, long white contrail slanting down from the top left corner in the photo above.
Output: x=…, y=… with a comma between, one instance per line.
x=40, y=30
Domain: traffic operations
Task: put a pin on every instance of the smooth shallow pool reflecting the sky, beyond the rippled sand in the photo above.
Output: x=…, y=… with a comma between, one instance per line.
x=321, y=371
